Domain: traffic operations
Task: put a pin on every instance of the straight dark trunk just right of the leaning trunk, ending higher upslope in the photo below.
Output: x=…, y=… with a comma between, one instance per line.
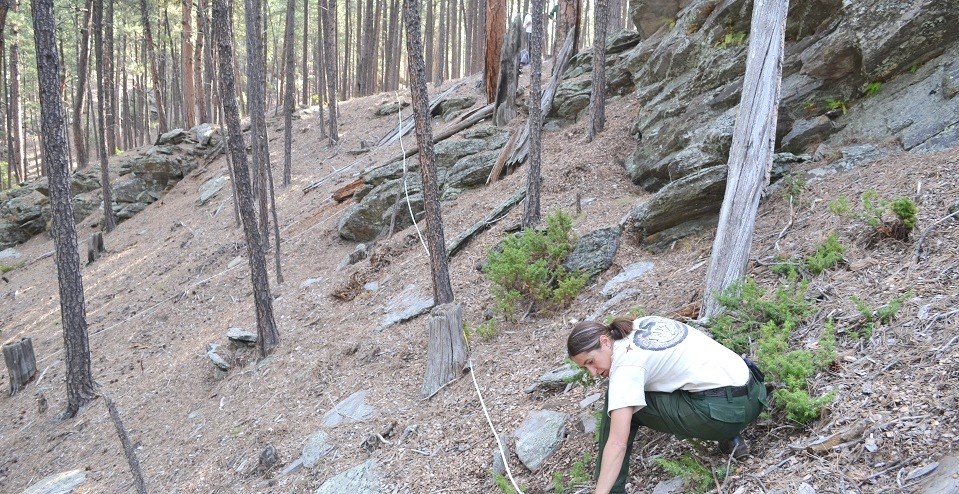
x=256, y=89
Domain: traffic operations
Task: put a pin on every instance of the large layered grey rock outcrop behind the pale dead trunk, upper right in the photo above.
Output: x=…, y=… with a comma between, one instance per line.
x=873, y=70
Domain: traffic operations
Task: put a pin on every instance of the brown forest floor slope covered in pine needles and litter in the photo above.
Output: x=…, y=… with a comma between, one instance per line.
x=165, y=290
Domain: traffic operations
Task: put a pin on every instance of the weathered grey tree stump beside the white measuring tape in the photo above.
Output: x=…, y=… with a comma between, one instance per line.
x=446, y=348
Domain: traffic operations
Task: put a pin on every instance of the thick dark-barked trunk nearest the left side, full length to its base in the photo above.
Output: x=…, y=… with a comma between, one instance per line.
x=80, y=385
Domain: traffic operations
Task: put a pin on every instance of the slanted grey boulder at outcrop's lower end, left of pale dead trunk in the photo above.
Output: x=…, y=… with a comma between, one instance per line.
x=690, y=198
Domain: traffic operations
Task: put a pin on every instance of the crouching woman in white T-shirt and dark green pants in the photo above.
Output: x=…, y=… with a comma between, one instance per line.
x=669, y=377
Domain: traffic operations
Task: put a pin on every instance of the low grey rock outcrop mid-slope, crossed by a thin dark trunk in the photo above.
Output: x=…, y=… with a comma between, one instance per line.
x=460, y=164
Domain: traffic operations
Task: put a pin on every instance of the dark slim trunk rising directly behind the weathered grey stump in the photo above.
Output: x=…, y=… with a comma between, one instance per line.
x=442, y=289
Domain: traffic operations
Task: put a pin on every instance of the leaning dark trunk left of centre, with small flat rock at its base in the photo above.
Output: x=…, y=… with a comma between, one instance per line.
x=267, y=335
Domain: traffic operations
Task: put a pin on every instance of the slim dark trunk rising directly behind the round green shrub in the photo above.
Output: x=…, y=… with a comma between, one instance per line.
x=531, y=213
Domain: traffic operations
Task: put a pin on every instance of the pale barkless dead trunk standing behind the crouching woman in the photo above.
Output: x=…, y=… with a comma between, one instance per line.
x=750, y=156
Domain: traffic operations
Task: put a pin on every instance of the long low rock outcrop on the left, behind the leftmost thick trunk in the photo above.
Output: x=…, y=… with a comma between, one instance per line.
x=144, y=177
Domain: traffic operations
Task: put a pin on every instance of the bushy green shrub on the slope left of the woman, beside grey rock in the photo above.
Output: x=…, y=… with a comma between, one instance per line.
x=528, y=273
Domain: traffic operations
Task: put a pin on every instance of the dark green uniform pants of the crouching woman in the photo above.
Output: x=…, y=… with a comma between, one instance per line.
x=686, y=416
